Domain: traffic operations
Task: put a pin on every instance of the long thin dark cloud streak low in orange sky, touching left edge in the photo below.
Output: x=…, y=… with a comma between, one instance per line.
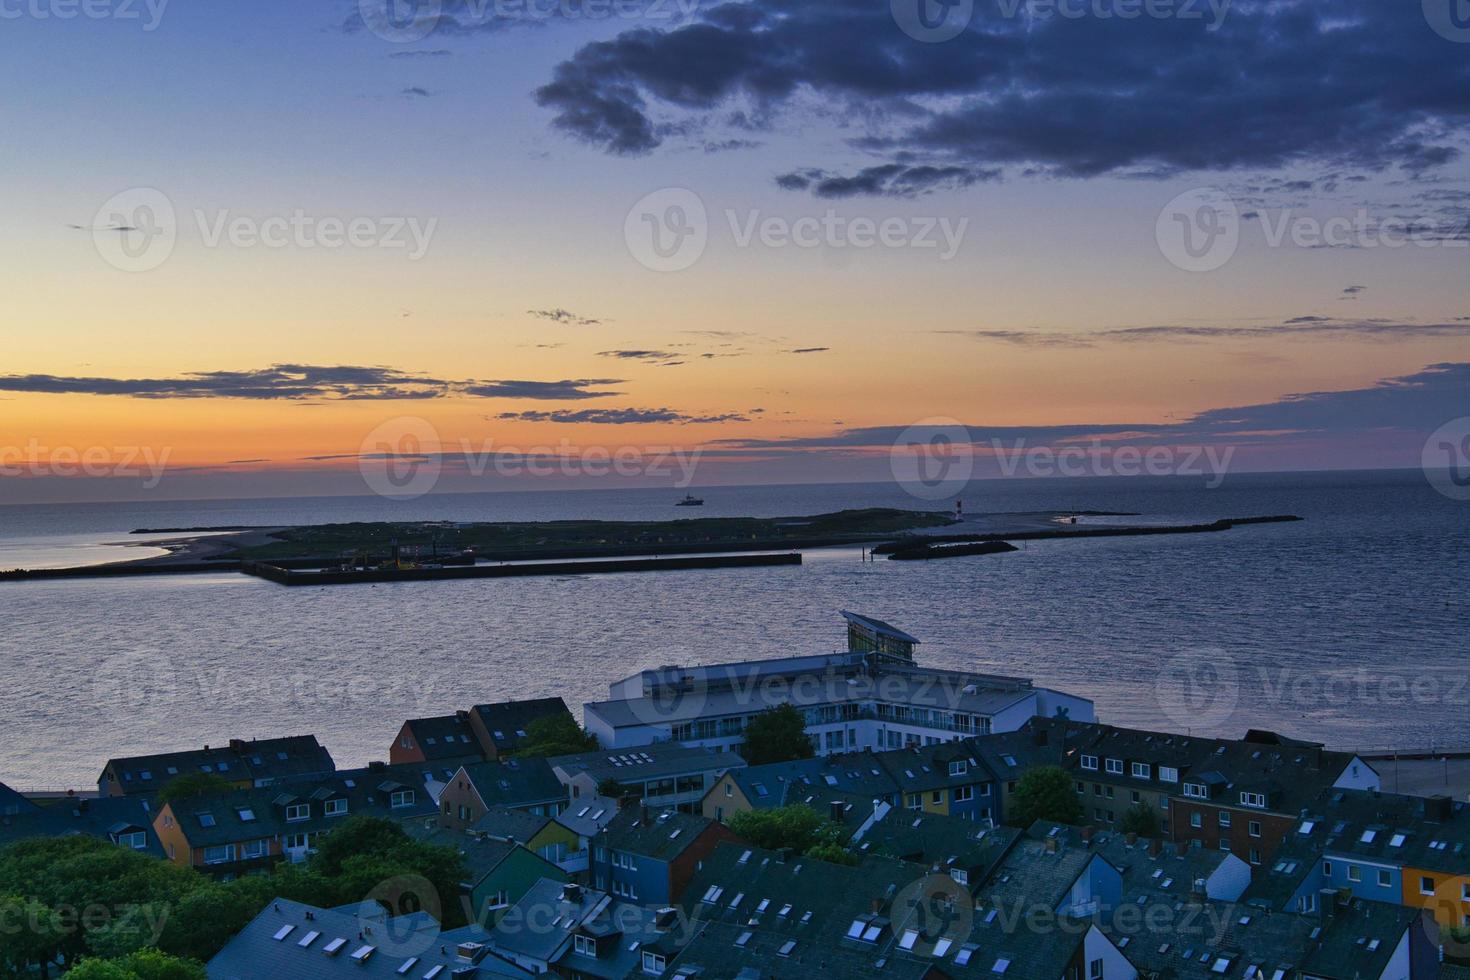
x=304, y=383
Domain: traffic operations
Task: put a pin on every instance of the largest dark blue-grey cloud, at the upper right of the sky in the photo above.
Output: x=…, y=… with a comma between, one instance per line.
x=1356, y=84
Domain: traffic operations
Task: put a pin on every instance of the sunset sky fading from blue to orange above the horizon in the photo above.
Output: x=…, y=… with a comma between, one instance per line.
x=265, y=249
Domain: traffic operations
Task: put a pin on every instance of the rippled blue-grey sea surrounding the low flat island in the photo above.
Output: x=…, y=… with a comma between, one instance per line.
x=1347, y=628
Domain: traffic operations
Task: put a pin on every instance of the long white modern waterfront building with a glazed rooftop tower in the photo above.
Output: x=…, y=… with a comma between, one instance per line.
x=870, y=697
